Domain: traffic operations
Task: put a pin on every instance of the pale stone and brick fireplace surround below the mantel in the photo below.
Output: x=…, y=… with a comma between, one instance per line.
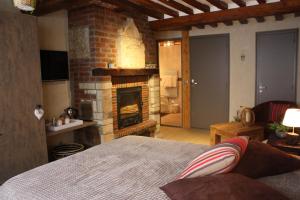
x=105, y=102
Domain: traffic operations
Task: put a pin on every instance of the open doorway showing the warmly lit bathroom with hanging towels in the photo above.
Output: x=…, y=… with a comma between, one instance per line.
x=170, y=83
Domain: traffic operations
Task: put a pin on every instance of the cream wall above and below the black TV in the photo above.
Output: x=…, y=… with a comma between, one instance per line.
x=53, y=35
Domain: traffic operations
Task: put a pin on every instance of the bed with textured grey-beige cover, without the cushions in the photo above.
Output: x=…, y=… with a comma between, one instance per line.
x=131, y=167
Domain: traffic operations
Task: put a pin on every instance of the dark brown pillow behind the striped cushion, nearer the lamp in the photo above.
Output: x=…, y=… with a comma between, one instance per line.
x=262, y=160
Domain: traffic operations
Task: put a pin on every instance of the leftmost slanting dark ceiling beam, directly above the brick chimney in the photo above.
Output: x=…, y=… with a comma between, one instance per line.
x=128, y=7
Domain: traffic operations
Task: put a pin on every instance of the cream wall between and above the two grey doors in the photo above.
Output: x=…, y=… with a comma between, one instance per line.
x=243, y=40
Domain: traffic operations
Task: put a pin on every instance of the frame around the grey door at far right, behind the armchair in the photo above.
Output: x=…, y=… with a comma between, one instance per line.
x=295, y=30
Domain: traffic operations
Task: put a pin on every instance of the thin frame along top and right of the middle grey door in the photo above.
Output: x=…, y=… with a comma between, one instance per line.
x=229, y=70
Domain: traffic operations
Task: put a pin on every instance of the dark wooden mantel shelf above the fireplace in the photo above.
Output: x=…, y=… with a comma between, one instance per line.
x=124, y=72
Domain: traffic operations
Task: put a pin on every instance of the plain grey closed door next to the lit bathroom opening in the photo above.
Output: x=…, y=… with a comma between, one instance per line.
x=209, y=63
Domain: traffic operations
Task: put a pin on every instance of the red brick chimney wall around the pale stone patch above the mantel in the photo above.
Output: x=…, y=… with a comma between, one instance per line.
x=93, y=33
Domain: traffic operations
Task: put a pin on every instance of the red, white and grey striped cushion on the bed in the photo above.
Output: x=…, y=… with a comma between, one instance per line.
x=221, y=158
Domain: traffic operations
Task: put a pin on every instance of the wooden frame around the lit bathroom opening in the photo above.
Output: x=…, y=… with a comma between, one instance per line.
x=182, y=88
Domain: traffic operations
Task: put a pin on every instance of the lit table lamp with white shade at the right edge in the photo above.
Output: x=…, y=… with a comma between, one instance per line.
x=292, y=119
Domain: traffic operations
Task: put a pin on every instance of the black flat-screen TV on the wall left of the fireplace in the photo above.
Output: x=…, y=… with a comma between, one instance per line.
x=54, y=65
